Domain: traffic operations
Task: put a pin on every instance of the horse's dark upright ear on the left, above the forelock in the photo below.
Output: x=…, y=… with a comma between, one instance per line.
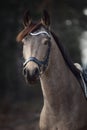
x=27, y=18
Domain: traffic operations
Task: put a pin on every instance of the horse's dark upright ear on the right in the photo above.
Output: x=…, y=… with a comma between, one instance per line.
x=45, y=19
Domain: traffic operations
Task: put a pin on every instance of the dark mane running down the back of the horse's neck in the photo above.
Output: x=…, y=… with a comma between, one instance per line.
x=66, y=56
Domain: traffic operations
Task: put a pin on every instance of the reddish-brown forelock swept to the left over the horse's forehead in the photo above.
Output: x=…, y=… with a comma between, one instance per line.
x=32, y=27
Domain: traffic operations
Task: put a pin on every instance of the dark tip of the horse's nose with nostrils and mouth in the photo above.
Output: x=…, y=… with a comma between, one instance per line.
x=31, y=75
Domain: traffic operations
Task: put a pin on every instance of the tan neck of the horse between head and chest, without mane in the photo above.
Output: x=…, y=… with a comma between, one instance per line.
x=58, y=83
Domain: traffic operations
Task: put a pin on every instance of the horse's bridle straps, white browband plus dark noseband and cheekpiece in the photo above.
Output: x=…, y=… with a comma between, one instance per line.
x=42, y=64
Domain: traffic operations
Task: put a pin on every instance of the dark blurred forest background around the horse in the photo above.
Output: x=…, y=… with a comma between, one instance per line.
x=20, y=104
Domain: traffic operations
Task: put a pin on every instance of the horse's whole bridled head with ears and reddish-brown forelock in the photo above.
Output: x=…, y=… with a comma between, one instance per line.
x=36, y=41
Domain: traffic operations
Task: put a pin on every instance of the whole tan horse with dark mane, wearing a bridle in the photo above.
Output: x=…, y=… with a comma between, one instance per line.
x=46, y=59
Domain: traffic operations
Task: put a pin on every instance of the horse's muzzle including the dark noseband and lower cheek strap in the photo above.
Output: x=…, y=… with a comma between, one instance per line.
x=31, y=72
